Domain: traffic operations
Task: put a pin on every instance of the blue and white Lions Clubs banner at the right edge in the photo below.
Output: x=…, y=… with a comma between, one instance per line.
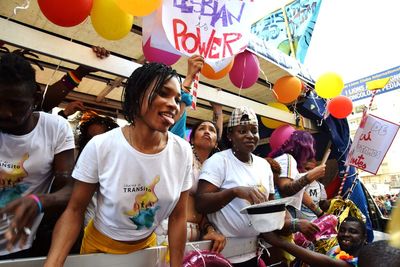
x=357, y=90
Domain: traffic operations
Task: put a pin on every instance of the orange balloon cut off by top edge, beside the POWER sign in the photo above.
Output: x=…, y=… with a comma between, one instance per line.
x=139, y=7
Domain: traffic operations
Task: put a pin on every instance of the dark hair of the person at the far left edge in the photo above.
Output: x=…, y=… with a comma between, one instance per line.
x=16, y=71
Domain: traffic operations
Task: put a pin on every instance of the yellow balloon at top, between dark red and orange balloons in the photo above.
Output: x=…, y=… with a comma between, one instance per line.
x=109, y=20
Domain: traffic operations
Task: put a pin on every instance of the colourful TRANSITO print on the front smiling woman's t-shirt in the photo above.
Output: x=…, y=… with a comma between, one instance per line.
x=144, y=207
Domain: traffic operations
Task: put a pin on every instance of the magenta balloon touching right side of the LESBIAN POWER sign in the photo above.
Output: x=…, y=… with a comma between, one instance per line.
x=244, y=72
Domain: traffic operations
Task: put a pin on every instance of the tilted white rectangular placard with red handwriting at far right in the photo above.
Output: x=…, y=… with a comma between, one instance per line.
x=371, y=143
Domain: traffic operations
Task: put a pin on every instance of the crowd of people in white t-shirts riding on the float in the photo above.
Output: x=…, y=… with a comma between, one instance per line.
x=131, y=184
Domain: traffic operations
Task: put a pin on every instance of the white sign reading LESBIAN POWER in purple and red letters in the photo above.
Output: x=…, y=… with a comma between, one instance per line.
x=214, y=29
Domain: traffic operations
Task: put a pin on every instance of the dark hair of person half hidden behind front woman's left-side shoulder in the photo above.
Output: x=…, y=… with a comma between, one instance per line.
x=107, y=122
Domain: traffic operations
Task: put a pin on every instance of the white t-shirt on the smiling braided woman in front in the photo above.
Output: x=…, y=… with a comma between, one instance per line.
x=137, y=191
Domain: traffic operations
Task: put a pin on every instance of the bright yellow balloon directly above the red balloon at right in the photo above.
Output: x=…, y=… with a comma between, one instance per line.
x=329, y=85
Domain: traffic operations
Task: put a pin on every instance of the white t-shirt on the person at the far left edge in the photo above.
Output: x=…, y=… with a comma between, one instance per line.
x=26, y=162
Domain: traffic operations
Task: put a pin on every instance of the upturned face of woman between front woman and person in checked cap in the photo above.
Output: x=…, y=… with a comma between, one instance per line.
x=205, y=136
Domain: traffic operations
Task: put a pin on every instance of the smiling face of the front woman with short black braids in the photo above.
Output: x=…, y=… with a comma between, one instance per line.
x=164, y=105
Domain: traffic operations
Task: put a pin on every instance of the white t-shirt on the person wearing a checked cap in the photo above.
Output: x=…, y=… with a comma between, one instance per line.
x=225, y=171
